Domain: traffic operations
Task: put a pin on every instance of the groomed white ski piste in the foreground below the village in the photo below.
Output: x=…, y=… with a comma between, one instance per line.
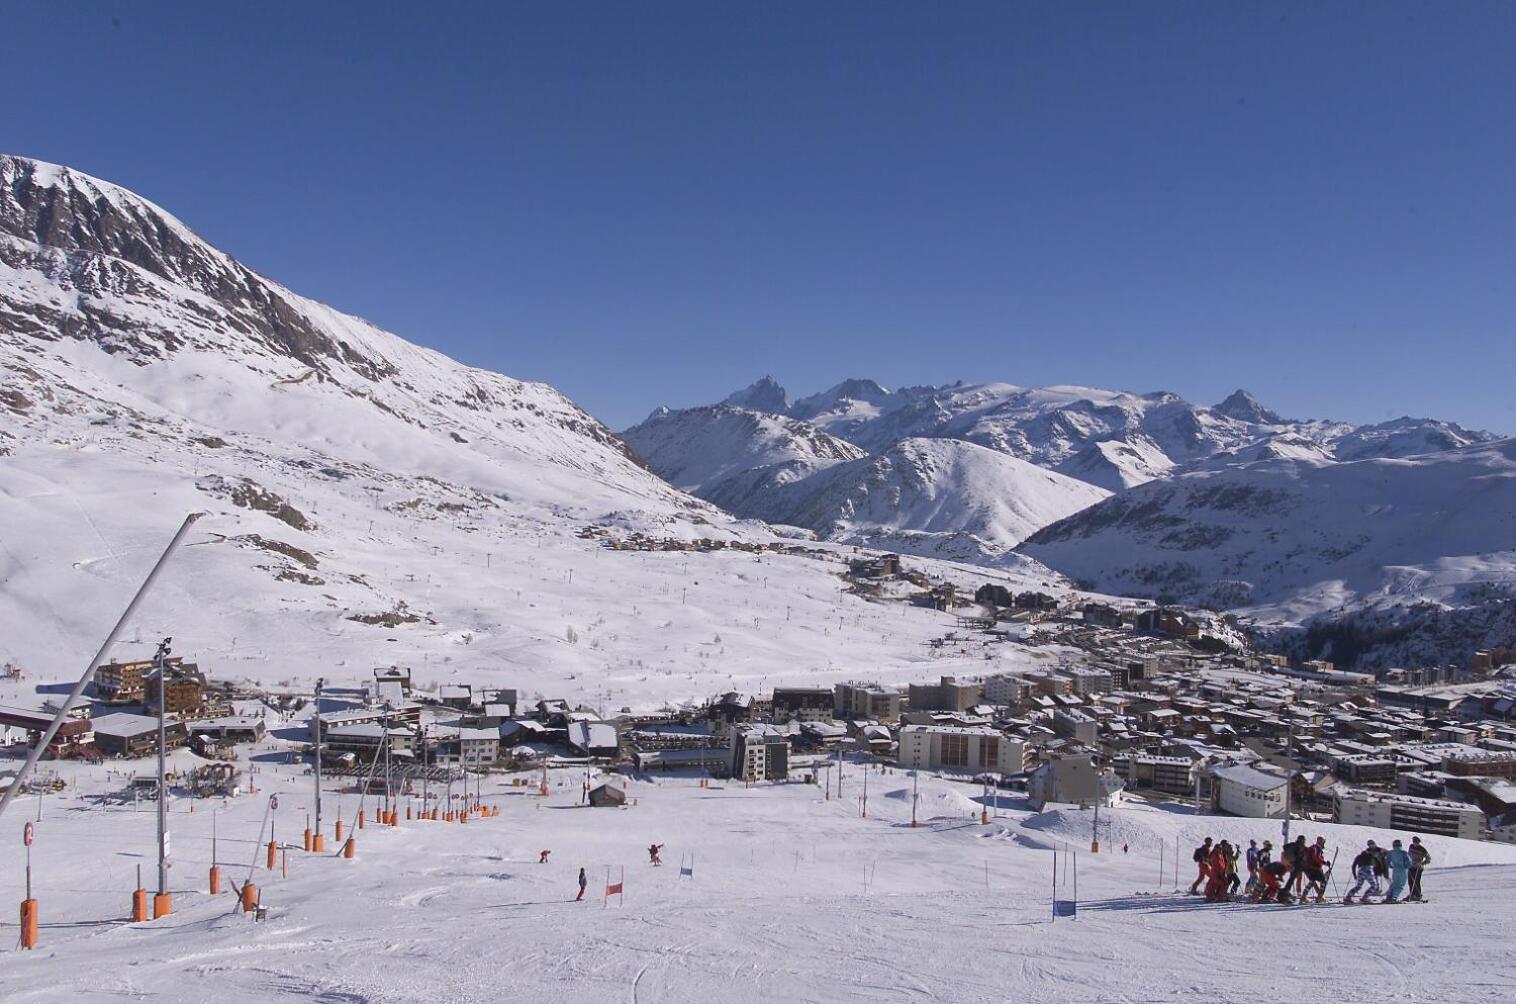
x=792, y=897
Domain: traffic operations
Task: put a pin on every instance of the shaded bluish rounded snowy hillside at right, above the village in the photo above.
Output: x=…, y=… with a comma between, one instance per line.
x=1301, y=536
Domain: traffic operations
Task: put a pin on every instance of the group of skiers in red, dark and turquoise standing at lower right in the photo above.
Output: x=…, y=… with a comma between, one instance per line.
x=1303, y=870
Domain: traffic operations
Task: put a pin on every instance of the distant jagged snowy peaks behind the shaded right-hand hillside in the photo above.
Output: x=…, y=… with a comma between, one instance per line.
x=768, y=465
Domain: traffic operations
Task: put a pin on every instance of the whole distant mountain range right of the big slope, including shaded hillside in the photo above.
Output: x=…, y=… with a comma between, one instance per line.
x=1150, y=495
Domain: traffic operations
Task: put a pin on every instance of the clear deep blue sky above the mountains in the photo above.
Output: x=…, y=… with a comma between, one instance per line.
x=657, y=202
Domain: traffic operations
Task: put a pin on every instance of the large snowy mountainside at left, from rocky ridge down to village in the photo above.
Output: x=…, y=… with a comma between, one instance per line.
x=369, y=501
